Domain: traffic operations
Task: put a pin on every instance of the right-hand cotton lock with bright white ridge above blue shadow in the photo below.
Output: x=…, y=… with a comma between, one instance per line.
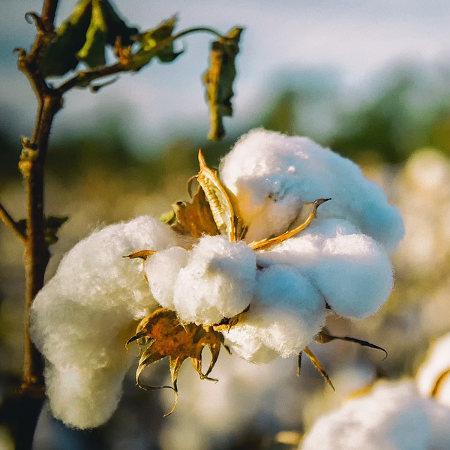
x=351, y=270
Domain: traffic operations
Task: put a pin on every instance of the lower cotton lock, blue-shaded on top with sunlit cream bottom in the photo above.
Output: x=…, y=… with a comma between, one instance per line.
x=284, y=317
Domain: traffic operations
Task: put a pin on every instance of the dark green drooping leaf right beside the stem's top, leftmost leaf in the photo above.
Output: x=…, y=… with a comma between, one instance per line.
x=60, y=54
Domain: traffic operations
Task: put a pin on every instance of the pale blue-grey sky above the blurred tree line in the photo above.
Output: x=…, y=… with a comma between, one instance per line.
x=354, y=39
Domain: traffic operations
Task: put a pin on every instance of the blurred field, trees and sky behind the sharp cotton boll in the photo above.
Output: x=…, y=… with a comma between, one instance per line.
x=370, y=79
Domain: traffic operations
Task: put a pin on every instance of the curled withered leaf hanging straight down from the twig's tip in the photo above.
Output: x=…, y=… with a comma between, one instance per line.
x=219, y=78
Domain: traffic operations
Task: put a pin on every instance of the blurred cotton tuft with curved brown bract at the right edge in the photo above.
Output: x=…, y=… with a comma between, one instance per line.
x=436, y=369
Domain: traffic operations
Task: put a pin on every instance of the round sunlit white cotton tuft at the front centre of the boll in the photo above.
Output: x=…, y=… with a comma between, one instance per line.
x=218, y=281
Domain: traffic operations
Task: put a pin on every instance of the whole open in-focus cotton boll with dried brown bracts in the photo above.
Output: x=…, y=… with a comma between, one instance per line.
x=285, y=233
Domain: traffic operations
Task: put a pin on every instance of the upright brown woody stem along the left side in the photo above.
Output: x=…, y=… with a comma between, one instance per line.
x=20, y=411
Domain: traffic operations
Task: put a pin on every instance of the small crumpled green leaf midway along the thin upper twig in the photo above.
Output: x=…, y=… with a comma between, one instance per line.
x=157, y=42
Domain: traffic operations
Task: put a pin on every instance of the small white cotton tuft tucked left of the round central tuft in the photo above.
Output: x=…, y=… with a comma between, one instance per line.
x=162, y=270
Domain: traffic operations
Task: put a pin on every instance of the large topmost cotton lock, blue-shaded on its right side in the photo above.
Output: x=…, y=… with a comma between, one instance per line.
x=273, y=175
